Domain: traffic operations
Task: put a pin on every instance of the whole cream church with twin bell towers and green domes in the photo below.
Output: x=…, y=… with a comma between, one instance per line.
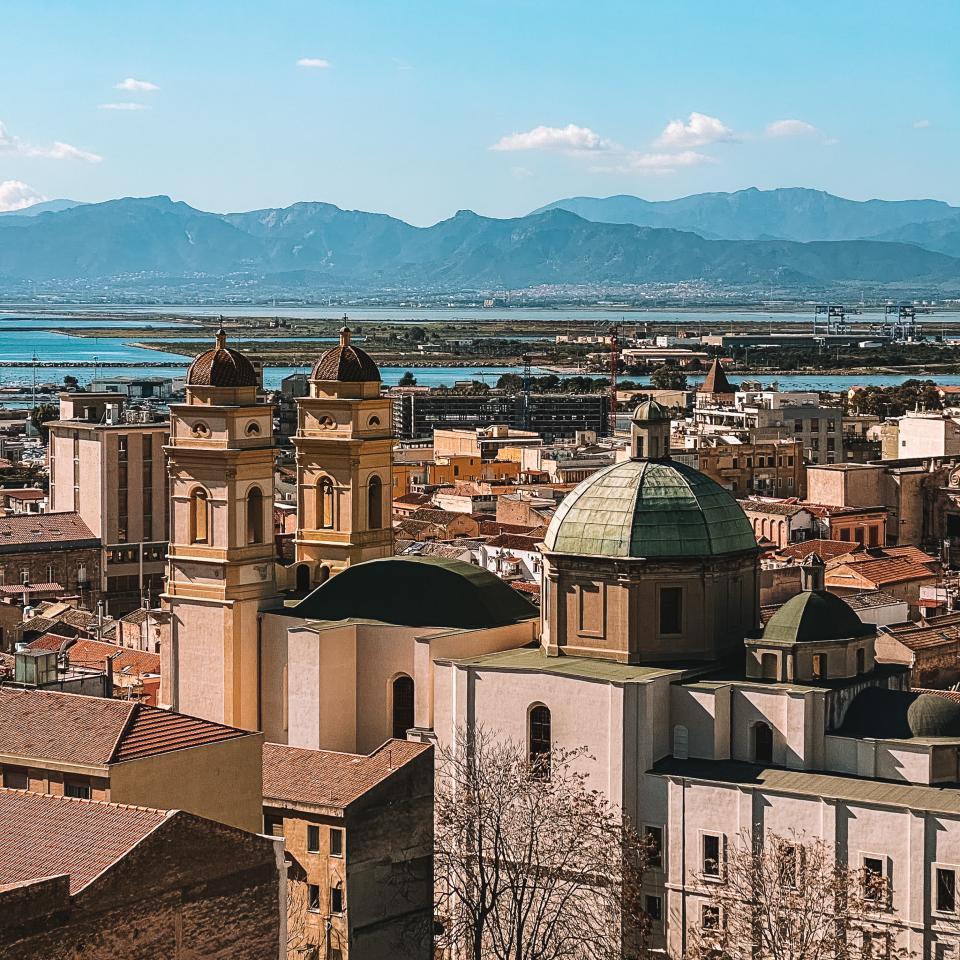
x=648, y=649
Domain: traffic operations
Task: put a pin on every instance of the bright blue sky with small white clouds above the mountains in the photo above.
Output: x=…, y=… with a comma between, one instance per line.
x=419, y=109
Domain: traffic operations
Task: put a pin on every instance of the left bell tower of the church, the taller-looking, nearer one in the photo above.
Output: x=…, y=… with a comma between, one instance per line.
x=221, y=555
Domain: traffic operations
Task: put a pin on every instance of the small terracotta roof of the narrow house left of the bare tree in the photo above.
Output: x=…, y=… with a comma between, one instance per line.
x=327, y=778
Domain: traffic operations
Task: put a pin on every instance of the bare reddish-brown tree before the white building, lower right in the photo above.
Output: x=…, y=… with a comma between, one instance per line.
x=789, y=898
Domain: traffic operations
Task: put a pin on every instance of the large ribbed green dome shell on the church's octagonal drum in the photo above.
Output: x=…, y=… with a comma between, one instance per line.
x=649, y=509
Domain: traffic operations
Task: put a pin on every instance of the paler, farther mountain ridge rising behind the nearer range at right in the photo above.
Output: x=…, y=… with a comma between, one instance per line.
x=792, y=213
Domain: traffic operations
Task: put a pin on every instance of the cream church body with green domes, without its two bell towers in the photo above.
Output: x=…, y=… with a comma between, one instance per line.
x=648, y=653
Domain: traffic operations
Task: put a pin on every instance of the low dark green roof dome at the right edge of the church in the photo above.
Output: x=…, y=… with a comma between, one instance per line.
x=901, y=714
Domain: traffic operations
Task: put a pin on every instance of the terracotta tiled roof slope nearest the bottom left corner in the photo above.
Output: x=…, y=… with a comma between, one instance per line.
x=47, y=836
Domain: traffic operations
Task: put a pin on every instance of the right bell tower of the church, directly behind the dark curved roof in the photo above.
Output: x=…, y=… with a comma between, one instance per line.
x=344, y=445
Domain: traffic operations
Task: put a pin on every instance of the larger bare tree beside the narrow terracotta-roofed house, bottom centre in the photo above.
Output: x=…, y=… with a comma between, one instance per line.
x=532, y=864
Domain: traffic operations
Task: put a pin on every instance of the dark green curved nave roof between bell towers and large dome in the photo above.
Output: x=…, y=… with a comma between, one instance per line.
x=417, y=592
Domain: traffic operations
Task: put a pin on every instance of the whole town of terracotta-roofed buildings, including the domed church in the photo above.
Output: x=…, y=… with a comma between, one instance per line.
x=250, y=641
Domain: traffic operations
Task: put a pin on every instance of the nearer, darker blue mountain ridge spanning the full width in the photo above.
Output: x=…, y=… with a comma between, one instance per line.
x=318, y=246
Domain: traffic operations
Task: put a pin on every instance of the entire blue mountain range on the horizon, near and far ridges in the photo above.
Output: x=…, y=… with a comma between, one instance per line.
x=787, y=240
